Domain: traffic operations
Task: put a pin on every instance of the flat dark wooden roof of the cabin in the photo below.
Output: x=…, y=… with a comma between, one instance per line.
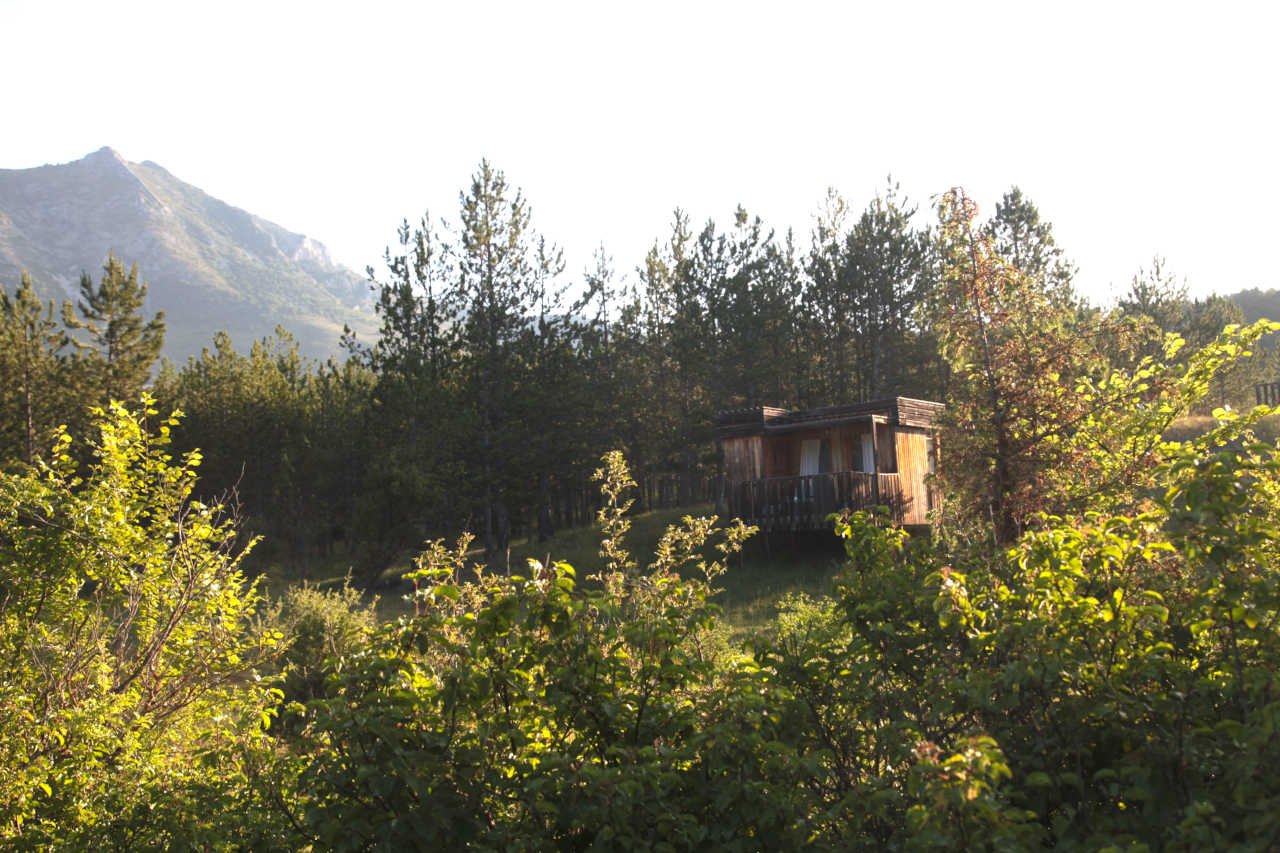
x=769, y=421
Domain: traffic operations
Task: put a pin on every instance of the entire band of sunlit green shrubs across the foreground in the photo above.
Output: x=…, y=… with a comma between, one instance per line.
x=1108, y=681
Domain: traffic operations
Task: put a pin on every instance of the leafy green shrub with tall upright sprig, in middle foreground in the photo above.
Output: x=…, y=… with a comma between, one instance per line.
x=543, y=713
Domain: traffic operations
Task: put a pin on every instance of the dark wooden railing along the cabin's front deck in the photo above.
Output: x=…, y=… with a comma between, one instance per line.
x=804, y=503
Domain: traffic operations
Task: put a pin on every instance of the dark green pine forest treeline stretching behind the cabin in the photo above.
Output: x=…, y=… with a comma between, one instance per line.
x=499, y=380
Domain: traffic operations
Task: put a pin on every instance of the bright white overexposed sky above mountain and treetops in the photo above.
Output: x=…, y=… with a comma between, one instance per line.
x=1137, y=129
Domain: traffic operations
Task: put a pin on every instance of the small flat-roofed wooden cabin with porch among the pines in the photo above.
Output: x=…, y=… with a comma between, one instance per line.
x=789, y=471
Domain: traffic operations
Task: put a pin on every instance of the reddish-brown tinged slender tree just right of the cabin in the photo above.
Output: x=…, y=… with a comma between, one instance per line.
x=1016, y=353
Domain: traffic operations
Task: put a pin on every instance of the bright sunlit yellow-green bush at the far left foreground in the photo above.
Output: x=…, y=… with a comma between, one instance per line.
x=129, y=706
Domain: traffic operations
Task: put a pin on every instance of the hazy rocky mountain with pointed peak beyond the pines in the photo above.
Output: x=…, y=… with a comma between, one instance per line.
x=209, y=266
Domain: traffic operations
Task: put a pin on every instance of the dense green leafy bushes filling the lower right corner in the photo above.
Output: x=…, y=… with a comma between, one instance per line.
x=1109, y=682
